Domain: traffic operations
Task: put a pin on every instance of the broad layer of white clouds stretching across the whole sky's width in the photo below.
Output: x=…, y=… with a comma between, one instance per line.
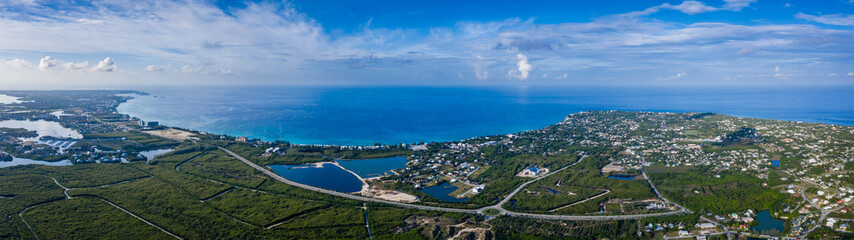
x=270, y=41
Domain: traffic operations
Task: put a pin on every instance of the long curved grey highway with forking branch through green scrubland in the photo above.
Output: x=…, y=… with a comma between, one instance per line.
x=458, y=210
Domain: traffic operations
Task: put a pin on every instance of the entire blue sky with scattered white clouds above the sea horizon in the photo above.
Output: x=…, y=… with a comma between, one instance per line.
x=91, y=44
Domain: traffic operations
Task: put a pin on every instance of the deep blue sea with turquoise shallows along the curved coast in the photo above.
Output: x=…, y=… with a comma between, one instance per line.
x=366, y=115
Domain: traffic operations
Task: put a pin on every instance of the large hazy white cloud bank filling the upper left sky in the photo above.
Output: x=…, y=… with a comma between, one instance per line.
x=171, y=32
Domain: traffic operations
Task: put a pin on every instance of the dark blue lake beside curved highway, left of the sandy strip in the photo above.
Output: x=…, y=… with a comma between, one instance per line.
x=327, y=176
